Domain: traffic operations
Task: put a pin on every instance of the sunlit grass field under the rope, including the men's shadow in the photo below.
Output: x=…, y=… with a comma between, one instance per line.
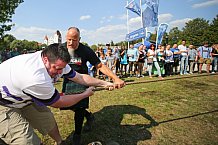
x=181, y=111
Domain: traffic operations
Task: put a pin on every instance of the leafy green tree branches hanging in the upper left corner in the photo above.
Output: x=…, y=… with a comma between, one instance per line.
x=7, y=10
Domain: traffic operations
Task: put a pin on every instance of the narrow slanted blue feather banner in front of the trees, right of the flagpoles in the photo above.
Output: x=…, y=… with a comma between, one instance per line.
x=160, y=33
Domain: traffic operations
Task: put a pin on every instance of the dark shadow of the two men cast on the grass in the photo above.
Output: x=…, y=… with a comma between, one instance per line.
x=109, y=126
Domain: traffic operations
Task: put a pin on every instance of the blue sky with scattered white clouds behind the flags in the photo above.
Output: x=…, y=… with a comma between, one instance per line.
x=100, y=21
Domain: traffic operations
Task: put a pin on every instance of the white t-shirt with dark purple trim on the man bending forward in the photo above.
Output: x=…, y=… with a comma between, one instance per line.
x=24, y=79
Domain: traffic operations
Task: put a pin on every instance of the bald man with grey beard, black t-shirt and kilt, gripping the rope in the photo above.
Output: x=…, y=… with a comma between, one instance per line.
x=80, y=54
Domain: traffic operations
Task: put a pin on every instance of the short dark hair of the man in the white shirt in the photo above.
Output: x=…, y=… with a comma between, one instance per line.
x=56, y=51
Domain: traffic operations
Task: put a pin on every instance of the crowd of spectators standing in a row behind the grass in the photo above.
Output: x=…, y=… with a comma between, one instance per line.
x=163, y=60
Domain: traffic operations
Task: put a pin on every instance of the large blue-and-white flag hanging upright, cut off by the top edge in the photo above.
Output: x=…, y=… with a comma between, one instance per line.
x=149, y=13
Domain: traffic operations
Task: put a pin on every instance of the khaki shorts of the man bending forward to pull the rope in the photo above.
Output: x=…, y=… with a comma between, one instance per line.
x=17, y=125
